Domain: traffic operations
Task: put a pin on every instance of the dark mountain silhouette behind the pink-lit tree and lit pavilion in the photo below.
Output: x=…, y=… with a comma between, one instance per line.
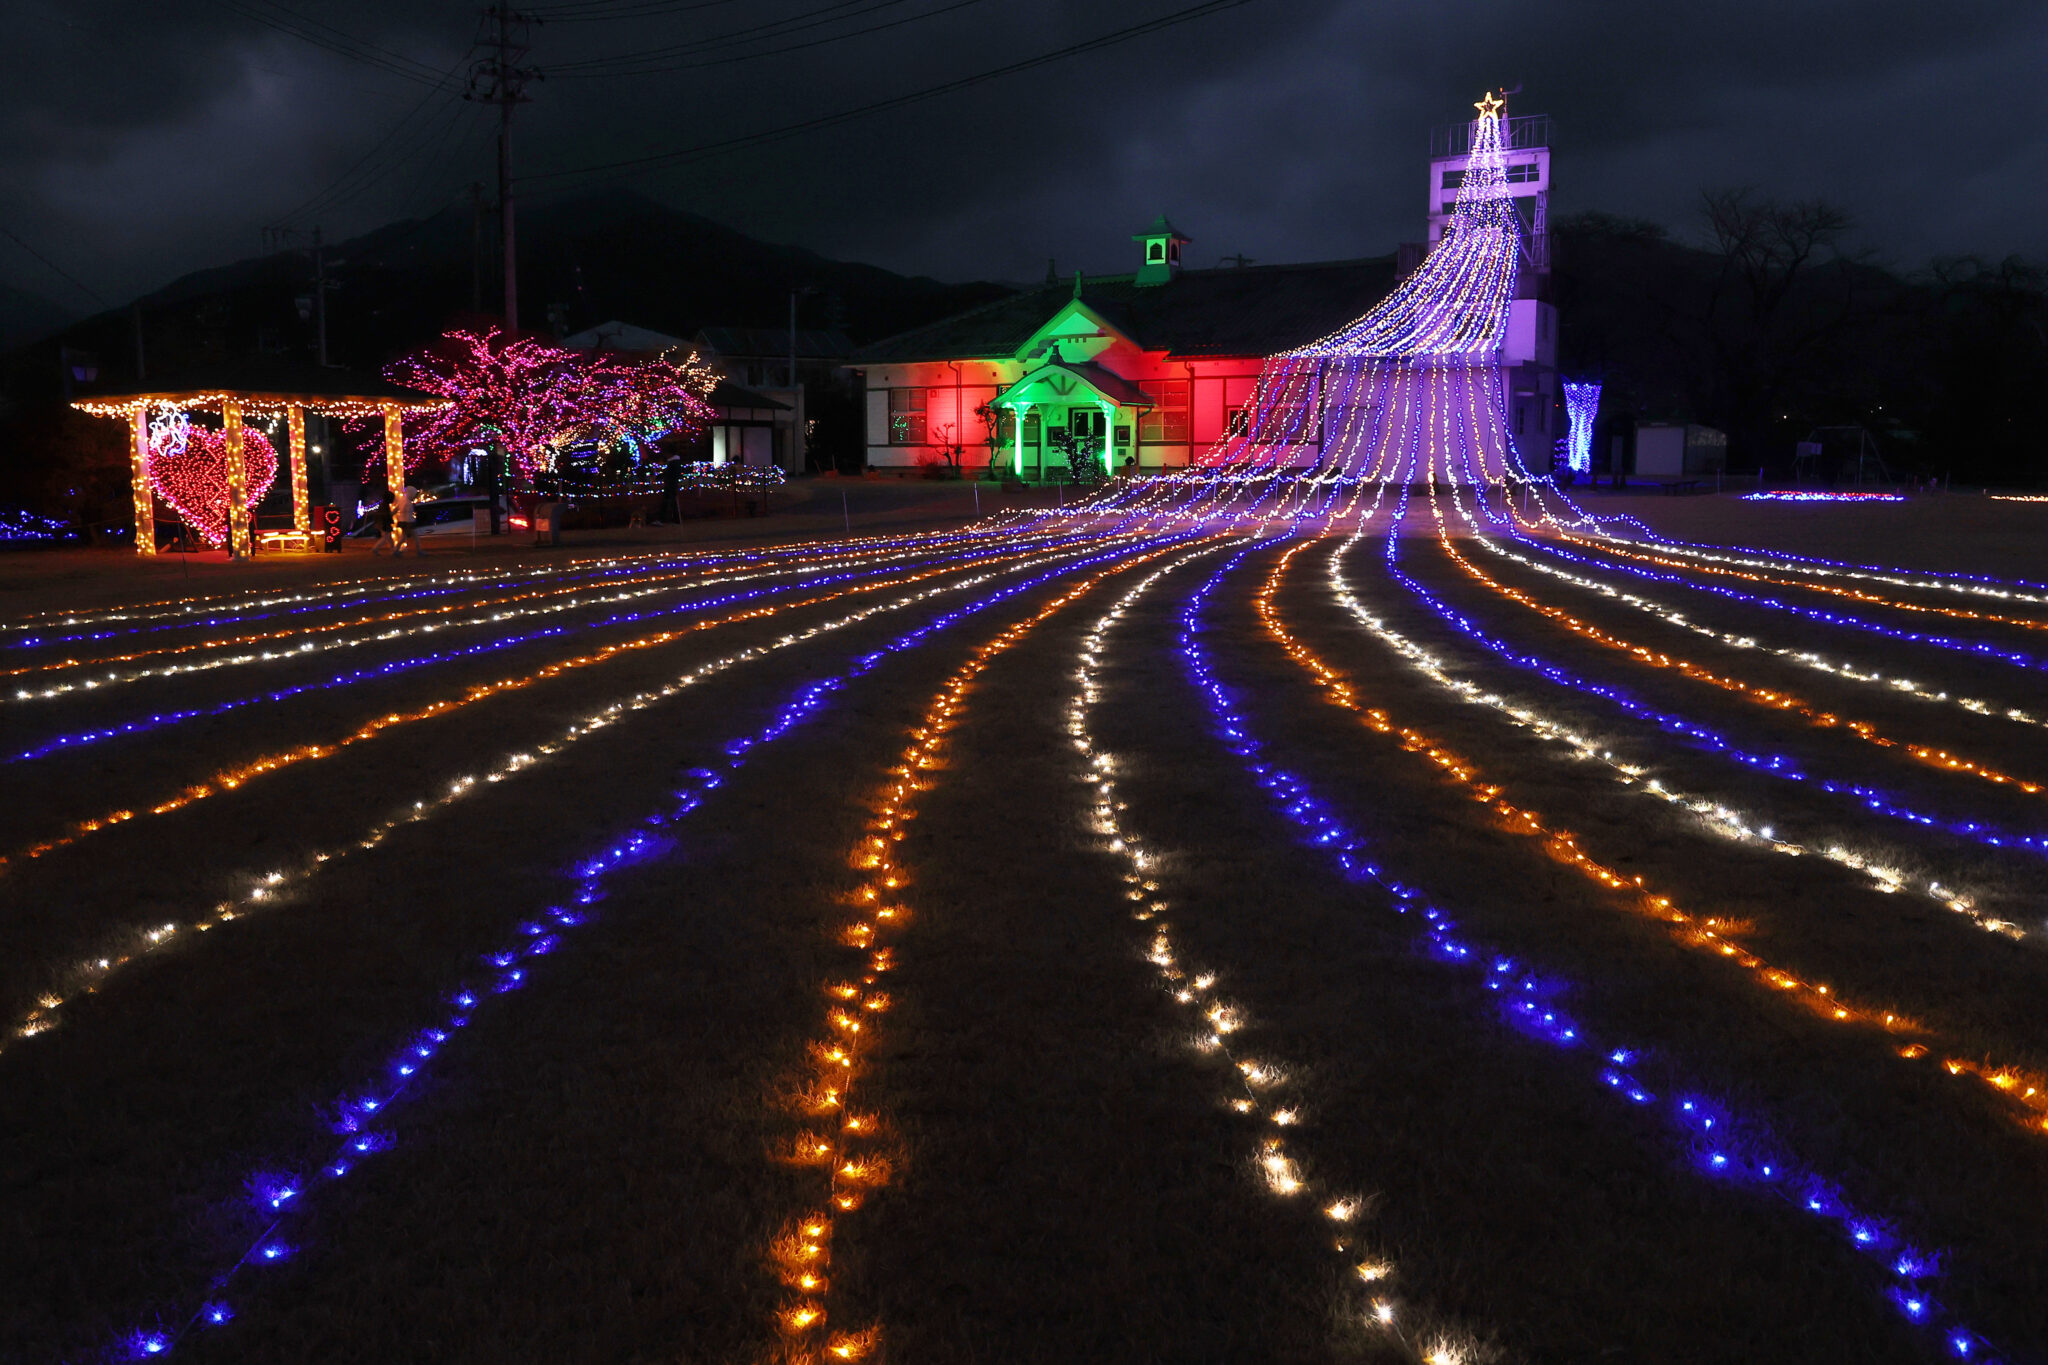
x=589, y=259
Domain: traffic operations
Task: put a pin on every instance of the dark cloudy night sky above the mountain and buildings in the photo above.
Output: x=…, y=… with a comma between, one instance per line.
x=148, y=138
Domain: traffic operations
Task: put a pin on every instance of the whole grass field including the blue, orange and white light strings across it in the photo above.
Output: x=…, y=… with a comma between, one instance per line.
x=892, y=936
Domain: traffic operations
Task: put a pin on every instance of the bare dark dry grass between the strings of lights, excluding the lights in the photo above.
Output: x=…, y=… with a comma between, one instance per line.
x=587, y=1172
